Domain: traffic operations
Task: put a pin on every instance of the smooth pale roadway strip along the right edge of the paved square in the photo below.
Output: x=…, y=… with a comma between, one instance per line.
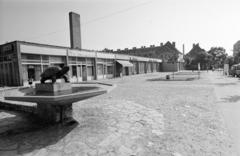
x=227, y=90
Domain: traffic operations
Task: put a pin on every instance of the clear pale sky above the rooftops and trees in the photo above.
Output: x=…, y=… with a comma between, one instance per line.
x=119, y=24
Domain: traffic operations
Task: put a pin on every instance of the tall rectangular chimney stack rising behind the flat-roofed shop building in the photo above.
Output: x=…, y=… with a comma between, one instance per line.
x=75, y=30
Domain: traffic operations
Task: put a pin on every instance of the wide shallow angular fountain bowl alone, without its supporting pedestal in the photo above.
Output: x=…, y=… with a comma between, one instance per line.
x=77, y=93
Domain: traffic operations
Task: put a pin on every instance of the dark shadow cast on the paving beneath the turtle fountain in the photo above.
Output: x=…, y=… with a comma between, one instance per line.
x=23, y=134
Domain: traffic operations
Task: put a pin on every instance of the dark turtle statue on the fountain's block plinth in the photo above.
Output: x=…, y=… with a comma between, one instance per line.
x=54, y=73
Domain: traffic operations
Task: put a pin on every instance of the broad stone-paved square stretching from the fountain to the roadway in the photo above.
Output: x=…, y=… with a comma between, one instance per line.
x=138, y=118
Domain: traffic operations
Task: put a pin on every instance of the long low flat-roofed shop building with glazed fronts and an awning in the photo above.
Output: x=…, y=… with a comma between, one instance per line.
x=21, y=61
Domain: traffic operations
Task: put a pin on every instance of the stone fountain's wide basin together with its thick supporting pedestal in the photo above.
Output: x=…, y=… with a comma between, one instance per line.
x=55, y=107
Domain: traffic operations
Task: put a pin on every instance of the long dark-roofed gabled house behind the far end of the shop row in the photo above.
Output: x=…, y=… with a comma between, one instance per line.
x=172, y=58
